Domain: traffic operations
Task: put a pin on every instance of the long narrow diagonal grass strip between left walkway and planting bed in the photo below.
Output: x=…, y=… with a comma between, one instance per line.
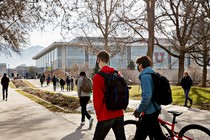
x=47, y=105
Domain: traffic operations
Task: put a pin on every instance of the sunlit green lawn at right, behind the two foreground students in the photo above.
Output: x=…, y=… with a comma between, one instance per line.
x=198, y=94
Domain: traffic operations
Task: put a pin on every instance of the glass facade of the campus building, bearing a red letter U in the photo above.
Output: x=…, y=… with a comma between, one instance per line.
x=67, y=56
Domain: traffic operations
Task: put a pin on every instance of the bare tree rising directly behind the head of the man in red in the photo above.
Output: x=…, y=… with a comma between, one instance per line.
x=94, y=18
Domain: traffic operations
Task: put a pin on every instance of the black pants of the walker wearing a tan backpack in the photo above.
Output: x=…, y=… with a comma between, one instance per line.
x=83, y=104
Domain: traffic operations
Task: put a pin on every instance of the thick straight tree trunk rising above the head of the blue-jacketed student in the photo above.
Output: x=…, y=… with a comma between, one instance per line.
x=150, y=20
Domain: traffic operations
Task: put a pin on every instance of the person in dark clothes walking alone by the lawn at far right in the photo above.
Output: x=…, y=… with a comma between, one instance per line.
x=186, y=83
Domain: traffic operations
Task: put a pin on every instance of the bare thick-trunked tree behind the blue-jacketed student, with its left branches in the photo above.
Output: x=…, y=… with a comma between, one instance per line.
x=141, y=21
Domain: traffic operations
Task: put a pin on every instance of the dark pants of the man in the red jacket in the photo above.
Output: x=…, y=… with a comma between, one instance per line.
x=103, y=127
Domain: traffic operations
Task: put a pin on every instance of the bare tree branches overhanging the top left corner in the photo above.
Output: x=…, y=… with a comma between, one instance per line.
x=19, y=17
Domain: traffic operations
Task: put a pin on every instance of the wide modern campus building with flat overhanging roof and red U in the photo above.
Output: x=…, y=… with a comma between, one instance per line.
x=82, y=51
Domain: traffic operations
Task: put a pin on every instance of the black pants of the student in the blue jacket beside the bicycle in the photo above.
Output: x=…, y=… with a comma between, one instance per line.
x=150, y=126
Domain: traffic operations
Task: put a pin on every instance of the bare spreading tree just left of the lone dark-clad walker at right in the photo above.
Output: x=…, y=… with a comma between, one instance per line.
x=176, y=21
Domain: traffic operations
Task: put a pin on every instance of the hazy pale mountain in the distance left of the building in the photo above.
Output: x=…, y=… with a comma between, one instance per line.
x=24, y=59
